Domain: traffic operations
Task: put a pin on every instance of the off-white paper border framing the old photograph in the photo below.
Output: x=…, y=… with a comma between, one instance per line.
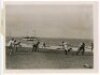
x=96, y=52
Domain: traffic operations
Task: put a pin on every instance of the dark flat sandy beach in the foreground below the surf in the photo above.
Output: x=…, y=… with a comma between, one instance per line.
x=24, y=58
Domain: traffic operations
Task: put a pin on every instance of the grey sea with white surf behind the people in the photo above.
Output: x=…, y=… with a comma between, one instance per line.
x=53, y=43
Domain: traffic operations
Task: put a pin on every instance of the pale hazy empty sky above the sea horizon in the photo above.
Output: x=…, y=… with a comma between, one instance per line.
x=53, y=21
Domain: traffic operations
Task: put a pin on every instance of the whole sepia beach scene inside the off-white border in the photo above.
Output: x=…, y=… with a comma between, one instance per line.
x=49, y=36
